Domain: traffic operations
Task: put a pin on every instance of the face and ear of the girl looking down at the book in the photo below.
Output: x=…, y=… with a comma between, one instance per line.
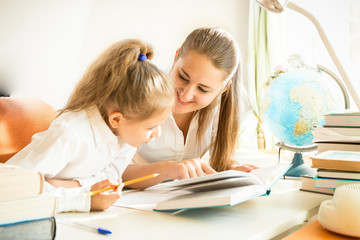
x=136, y=133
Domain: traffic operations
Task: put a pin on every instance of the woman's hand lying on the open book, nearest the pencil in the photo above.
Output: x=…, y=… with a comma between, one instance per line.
x=186, y=169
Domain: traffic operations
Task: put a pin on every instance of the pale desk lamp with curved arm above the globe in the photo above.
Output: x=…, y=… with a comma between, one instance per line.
x=275, y=6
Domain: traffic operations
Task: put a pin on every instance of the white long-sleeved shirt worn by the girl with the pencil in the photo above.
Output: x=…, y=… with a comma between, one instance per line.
x=77, y=146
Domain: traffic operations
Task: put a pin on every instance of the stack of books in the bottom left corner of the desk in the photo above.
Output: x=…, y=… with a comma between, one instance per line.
x=25, y=211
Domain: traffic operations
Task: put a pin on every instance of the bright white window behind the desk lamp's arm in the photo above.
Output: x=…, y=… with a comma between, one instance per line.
x=340, y=20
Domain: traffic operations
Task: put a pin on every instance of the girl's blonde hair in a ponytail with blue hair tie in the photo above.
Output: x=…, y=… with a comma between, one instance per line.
x=118, y=78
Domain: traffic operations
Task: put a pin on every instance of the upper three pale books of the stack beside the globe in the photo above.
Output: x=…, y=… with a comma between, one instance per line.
x=340, y=132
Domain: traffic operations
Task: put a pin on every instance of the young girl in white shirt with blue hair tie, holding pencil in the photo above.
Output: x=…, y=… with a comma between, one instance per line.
x=117, y=106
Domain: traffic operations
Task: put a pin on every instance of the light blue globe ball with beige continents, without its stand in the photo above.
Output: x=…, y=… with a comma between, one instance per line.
x=294, y=103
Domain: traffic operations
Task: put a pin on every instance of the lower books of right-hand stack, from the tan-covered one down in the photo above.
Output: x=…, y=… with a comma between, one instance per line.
x=334, y=169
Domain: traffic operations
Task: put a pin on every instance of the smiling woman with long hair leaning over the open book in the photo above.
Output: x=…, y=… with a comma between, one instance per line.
x=206, y=113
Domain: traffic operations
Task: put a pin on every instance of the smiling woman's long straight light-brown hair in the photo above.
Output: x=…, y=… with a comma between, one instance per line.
x=220, y=47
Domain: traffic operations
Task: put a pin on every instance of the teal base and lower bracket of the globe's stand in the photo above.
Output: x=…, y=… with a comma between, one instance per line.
x=298, y=166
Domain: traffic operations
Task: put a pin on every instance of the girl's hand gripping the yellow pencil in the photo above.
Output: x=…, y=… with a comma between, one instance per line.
x=104, y=200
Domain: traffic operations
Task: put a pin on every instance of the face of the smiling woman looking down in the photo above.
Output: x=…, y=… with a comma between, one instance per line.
x=197, y=82
